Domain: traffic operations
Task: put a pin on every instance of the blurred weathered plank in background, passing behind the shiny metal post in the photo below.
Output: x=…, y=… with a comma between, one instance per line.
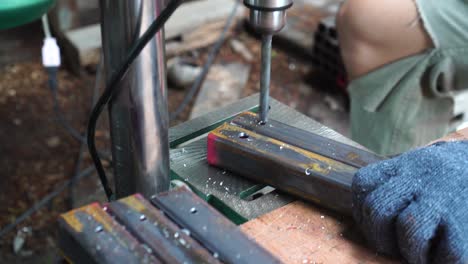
x=194, y=25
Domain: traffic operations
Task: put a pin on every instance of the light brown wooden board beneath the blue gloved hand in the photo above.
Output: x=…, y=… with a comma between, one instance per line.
x=304, y=233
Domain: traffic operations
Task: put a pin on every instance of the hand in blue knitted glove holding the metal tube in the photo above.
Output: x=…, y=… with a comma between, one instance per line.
x=416, y=205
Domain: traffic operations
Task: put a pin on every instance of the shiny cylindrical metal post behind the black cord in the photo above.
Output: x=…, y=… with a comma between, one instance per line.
x=138, y=115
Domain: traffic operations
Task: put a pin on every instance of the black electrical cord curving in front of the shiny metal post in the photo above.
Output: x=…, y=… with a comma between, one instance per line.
x=112, y=88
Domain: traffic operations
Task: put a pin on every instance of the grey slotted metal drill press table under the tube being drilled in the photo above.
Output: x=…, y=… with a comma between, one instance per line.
x=188, y=143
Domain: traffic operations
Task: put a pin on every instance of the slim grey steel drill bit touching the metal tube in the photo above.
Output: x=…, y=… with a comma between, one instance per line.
x=265, y=78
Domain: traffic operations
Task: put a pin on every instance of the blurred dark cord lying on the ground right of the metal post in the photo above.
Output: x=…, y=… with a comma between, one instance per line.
x=211, y=57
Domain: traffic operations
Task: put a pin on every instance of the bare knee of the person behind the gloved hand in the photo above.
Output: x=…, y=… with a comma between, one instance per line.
x=377, y=32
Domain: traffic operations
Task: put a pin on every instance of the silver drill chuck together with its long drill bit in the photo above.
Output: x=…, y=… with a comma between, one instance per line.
x=267, y=17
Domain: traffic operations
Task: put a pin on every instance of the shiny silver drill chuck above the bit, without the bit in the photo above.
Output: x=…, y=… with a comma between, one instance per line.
x=268, y=16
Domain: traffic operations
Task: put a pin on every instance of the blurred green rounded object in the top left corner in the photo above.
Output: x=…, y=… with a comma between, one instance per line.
x=17, y=12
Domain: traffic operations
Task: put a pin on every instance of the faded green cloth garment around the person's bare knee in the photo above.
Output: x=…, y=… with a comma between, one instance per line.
x=411, y=102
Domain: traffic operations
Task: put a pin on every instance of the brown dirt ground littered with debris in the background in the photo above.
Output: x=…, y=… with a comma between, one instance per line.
x=37, y=155
